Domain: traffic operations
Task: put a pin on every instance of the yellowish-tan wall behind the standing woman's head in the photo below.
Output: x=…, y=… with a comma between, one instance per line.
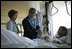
x=21, y=6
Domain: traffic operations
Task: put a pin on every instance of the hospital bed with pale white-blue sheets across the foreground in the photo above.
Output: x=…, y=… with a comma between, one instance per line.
x=10, y=39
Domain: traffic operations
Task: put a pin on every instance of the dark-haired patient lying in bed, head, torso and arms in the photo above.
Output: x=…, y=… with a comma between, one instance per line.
x=61, y=36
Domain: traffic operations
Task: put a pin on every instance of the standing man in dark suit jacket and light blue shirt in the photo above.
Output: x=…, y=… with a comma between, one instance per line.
x=30, y=25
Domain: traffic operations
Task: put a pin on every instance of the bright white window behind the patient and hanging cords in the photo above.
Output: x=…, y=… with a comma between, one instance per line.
x=61, y=18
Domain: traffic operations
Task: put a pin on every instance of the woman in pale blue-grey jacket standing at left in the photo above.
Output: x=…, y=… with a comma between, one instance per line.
x=11, y=24
